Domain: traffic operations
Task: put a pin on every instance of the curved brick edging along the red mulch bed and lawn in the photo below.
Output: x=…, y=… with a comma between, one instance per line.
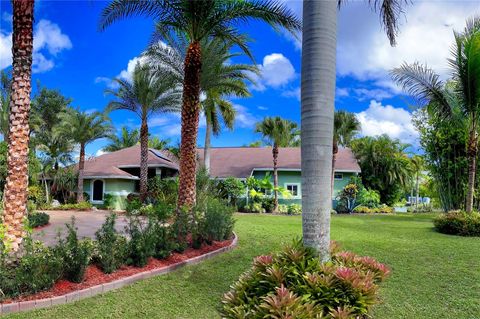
x=100, y=289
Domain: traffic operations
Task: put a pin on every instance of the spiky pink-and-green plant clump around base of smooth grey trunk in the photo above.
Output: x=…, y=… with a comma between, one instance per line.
x=293, y=283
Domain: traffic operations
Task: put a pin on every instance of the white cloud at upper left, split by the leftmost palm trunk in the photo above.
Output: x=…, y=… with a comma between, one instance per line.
x=48, y=42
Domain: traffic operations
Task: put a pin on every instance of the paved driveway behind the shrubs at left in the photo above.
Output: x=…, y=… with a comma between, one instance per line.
x=86, y=222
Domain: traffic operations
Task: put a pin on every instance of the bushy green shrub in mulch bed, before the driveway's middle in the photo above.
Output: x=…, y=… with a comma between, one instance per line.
x=76, y=254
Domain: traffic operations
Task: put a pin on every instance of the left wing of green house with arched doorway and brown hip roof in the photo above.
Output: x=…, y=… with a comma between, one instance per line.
x=118, y=173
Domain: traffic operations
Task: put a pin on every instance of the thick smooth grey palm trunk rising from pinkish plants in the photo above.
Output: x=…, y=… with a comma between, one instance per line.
x=318, y=94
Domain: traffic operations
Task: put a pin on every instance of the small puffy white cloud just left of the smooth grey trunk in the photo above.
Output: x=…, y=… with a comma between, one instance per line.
x=275, y=71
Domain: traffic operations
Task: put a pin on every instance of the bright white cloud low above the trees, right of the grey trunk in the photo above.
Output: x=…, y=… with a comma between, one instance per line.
x=380, y=119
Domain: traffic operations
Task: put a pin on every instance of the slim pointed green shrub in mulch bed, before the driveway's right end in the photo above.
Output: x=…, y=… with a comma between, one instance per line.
x=111, y=247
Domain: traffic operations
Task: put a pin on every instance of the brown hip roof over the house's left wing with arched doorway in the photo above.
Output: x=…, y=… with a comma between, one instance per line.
x=109, y=165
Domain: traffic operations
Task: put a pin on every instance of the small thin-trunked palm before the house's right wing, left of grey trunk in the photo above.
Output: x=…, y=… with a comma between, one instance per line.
x=277, y=132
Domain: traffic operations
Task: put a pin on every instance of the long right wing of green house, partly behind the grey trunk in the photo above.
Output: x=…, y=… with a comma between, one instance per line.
x=243, y=162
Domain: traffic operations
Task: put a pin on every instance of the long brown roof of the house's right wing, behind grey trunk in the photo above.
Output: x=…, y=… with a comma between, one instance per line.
x=241, y=161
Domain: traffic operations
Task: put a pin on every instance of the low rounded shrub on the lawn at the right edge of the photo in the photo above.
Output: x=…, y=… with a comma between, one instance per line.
x=458, y=223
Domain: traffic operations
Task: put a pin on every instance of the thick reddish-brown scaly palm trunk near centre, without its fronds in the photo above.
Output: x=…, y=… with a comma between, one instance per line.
x=190, y=118
